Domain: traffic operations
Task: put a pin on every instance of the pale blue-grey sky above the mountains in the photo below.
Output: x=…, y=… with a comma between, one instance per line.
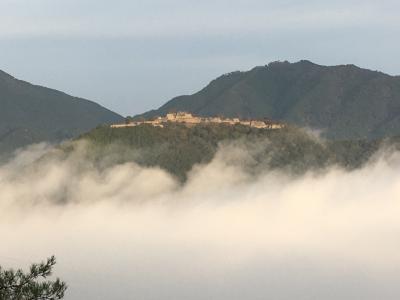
x=134, y=55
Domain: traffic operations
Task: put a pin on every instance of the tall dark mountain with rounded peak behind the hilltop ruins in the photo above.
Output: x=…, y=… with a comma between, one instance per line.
x=344, y=102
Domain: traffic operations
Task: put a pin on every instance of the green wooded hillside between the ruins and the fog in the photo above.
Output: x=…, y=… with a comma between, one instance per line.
x=177, y=148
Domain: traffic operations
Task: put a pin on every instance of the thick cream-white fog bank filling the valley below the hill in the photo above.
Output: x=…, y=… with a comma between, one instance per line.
x=128, y=232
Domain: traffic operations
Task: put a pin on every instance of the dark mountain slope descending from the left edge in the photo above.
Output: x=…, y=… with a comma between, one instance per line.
x=31, y=114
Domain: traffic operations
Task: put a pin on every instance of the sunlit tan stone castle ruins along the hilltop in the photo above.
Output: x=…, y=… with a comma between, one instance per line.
x=189, y=120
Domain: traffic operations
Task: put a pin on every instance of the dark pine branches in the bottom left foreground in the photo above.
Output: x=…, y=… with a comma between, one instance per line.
x=17, y=285
